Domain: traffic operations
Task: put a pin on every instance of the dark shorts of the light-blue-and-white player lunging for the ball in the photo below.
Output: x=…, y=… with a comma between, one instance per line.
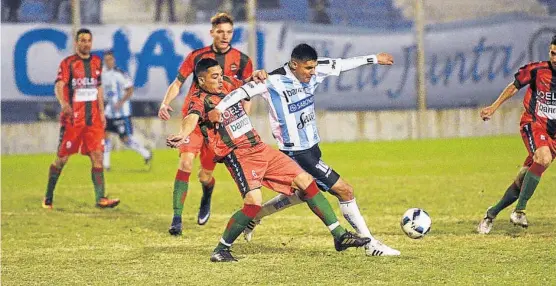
x=310, y=161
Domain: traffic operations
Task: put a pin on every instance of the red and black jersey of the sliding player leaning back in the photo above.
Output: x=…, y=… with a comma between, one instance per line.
x=235, y=131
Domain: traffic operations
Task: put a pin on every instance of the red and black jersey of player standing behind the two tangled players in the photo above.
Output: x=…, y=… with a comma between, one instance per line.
x=234, y=64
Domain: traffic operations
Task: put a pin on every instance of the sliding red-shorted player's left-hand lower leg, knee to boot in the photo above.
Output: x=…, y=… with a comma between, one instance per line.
x=236, y=225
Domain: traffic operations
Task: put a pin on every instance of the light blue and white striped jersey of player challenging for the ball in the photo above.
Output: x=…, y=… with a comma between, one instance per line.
x=292, y=105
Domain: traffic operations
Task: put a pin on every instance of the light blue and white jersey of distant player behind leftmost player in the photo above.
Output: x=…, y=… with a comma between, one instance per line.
x=114, y=83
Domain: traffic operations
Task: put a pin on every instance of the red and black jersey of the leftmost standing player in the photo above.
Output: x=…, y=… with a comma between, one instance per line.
x=81, y=77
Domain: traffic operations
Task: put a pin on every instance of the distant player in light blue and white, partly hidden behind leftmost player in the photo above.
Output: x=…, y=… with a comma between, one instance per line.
x=118, y=89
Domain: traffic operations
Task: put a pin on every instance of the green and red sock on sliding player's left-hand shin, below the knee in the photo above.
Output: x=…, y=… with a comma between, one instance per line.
x=237, y=224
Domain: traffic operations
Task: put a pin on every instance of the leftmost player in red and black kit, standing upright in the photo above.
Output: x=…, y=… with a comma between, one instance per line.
x=78, y=89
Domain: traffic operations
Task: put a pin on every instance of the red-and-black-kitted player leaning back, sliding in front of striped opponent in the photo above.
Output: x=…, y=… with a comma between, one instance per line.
x=251, y=162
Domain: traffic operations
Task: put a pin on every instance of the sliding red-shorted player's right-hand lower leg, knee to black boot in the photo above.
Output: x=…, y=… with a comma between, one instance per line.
x=343, y=239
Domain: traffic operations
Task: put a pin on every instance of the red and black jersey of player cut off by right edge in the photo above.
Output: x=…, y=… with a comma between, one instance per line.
x=540, y=98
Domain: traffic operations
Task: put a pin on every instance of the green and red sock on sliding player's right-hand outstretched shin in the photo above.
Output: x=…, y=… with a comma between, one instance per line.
x=321, y=207
